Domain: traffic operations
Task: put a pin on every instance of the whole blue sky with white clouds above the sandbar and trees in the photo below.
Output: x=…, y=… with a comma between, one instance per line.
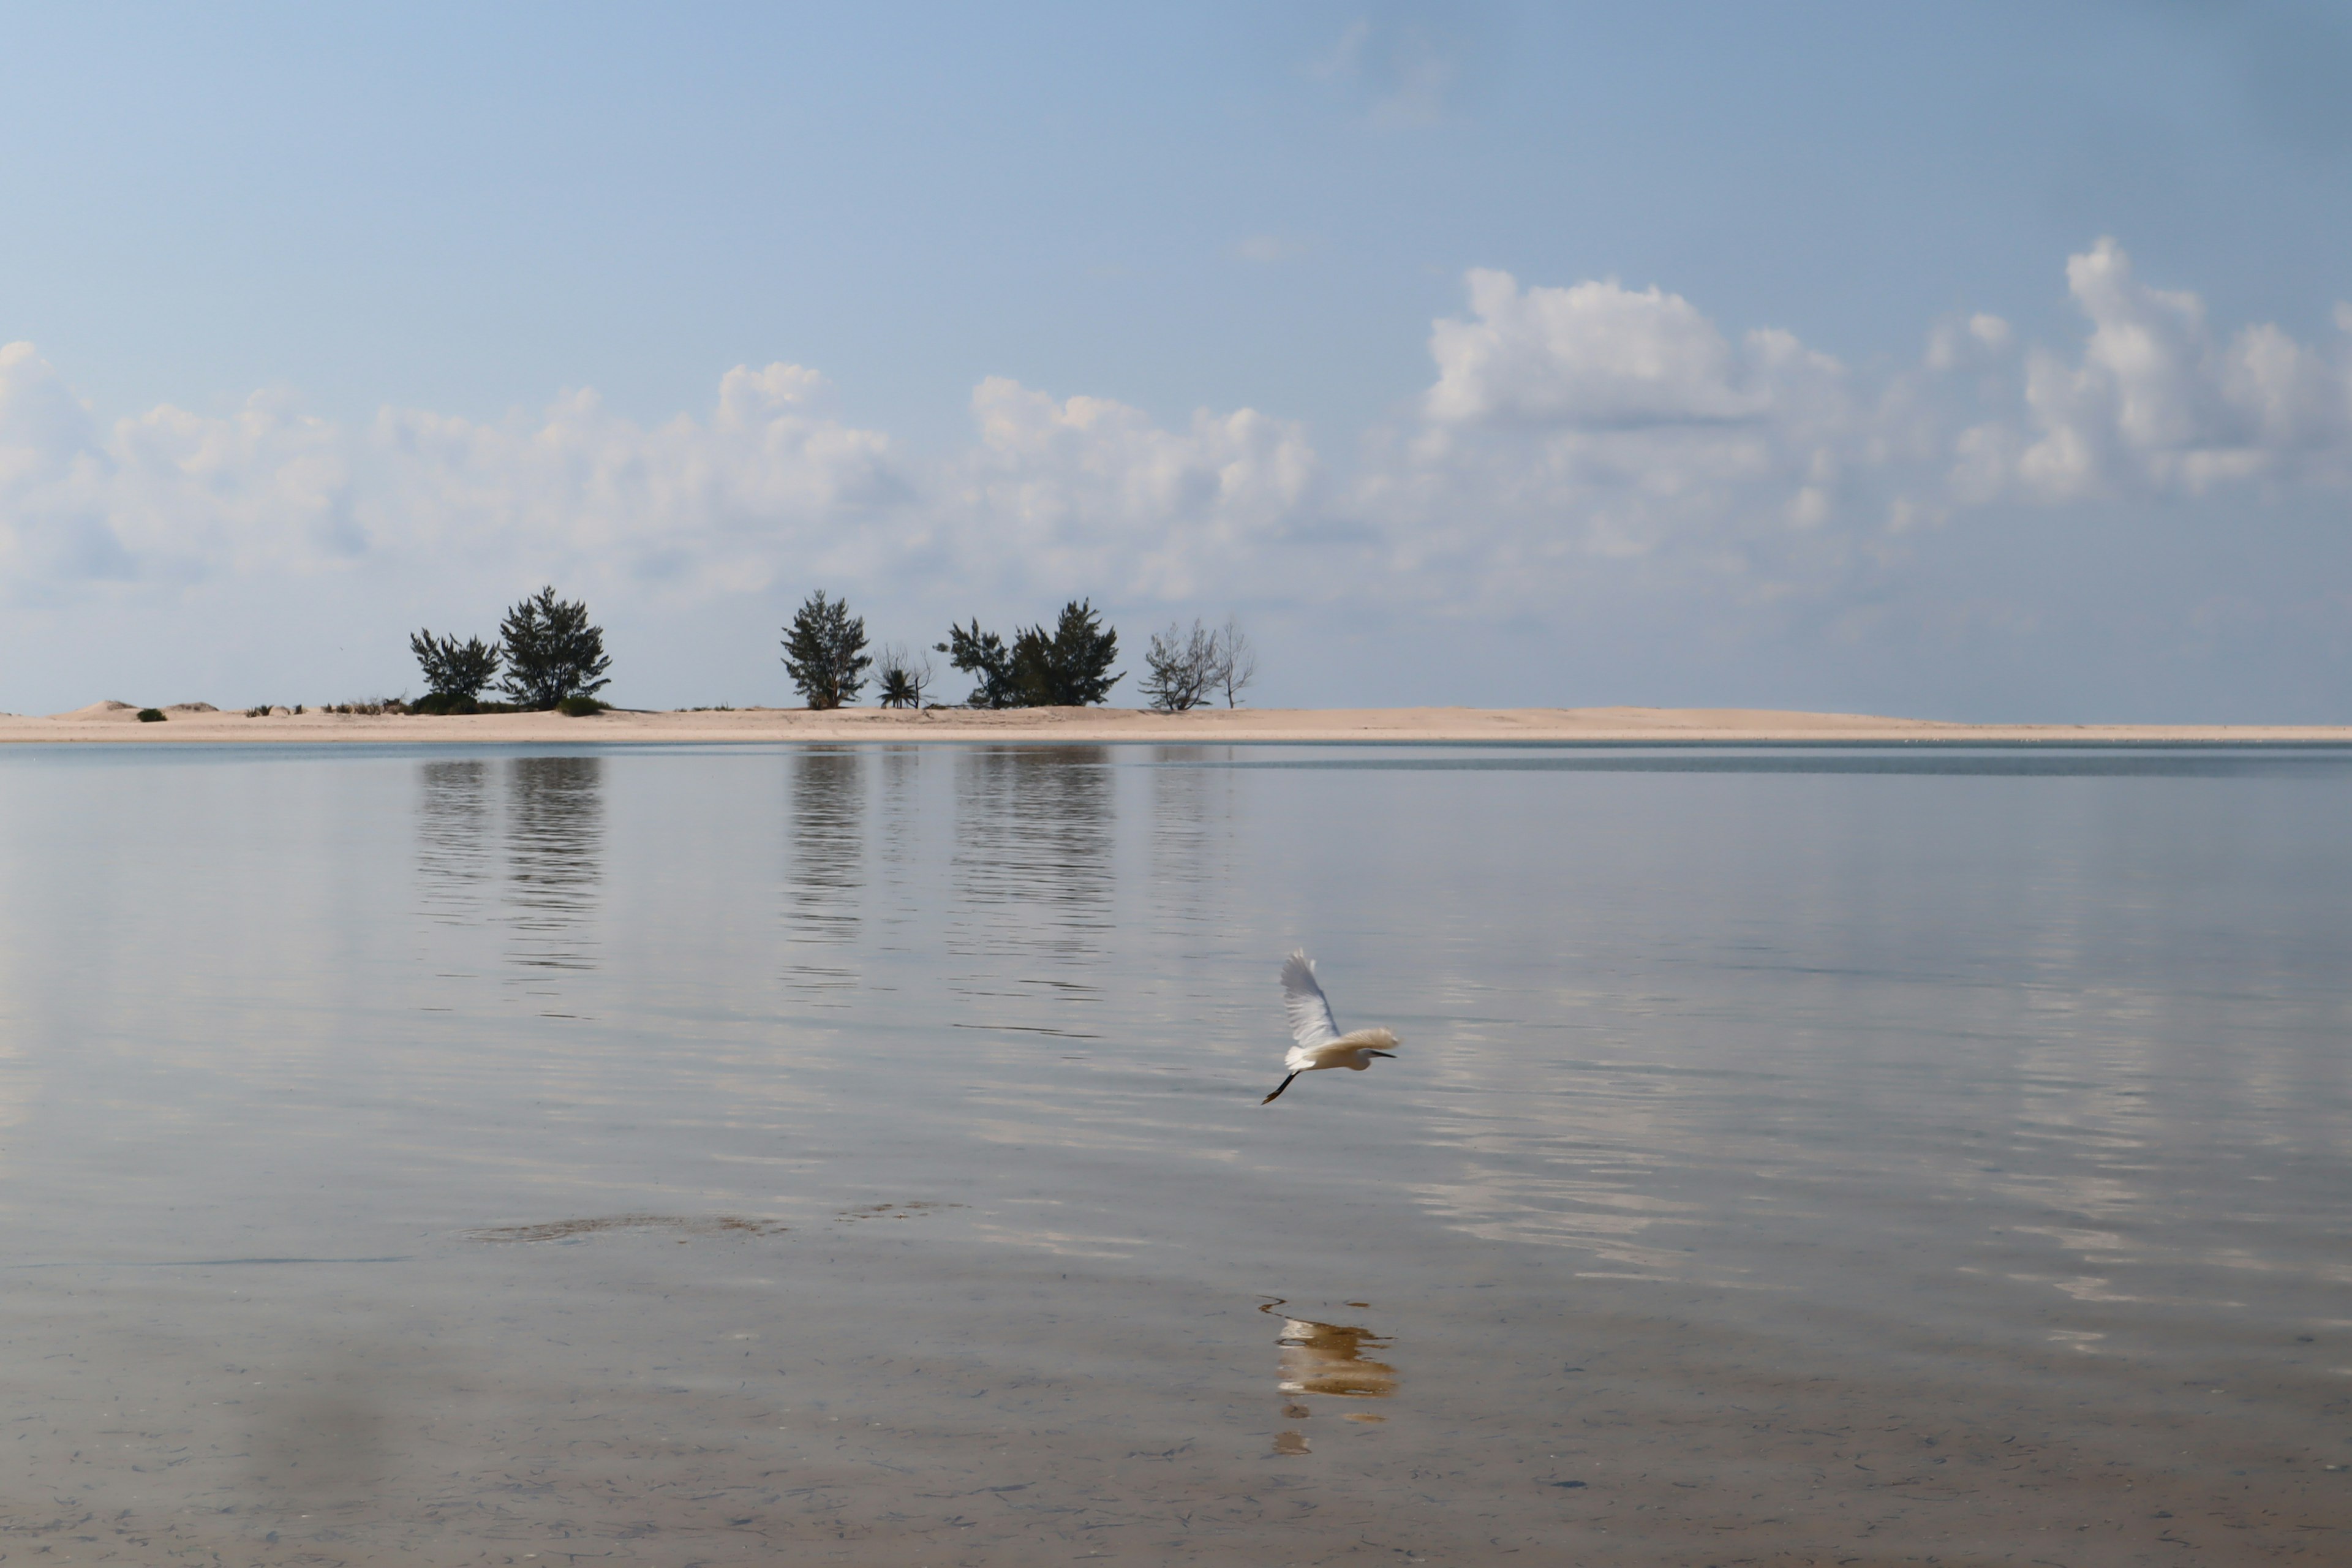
x=1953, y=361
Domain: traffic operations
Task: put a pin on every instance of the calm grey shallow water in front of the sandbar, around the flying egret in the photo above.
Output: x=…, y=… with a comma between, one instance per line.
x=855, y=1155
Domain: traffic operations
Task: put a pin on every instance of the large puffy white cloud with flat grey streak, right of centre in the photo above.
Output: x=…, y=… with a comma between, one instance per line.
x=1605, y=424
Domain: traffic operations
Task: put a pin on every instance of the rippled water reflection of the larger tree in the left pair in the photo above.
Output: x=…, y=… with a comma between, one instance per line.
x=554, y=857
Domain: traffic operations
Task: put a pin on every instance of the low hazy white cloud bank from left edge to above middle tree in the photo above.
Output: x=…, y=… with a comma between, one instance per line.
x=175, y=497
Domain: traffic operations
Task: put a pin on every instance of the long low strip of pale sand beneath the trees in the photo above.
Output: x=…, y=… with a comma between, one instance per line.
x=116, y=725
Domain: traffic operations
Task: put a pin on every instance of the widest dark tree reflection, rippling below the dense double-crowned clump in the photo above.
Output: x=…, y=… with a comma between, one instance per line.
x=1034, y=852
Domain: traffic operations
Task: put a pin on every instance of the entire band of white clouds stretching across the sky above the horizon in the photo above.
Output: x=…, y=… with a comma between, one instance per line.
x=1575, y=445
